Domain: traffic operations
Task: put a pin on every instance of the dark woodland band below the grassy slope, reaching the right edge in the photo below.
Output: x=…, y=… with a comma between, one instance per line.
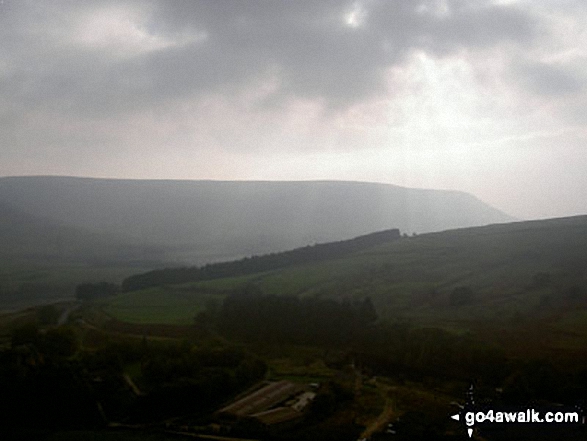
x=394, y=349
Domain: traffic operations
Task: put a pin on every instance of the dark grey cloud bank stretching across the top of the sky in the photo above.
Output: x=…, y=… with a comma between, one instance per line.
x=308, y=43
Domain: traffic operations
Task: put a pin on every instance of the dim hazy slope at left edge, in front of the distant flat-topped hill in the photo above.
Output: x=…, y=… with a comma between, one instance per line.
x=42, y=261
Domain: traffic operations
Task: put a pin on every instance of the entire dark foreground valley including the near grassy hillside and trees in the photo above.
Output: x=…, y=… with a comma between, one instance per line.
x=391, y=333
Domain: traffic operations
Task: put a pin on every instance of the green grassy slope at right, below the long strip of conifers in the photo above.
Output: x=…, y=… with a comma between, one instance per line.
x=500, y=275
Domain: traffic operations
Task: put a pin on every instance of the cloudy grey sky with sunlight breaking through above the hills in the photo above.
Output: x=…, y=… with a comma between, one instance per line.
x=487, y=97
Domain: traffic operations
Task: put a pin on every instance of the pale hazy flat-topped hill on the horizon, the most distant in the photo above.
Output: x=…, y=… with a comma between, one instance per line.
x=204, y=221
